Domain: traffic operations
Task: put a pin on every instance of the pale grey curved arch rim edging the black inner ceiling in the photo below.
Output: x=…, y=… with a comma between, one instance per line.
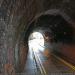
x=54, y=12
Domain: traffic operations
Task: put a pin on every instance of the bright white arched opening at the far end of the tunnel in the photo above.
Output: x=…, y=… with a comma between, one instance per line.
x=36, y=41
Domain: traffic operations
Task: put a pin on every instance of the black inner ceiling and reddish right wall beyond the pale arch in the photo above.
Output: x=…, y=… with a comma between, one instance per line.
x=59, y=32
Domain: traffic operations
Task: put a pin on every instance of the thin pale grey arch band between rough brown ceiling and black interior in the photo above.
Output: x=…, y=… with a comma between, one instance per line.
x=53, y=12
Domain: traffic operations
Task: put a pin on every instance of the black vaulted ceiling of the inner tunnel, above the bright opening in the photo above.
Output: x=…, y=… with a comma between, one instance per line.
x=60, y=28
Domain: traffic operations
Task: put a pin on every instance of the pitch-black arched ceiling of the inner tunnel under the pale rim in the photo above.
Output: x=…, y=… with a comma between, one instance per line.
x=44, y=21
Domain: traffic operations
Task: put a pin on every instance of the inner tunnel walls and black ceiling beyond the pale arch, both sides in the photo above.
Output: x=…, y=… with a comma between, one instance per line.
x=56, y=31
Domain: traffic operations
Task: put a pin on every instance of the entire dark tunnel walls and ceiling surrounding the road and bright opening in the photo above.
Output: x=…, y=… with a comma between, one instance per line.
x=55, y=20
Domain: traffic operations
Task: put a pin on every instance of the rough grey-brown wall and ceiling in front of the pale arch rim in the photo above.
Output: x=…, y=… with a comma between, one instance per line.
x=16, y=14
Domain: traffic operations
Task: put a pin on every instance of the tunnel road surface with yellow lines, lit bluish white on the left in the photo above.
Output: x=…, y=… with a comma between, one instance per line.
x=43, y=62
